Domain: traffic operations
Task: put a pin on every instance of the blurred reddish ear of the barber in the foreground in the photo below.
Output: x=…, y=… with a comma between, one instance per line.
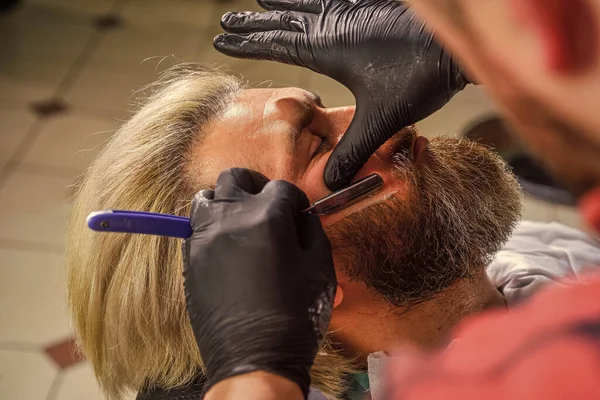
x=566, y=29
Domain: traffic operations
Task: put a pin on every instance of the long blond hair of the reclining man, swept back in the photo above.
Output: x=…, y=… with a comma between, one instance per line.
x=126, y=291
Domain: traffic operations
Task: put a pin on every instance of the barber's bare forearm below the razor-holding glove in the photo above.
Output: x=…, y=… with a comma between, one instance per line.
x=255, y=386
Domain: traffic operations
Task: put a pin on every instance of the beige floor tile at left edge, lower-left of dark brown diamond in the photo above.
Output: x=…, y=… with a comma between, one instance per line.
x=14, y=124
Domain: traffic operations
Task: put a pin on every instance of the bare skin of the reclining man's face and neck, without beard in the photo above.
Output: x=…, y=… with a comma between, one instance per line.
x=364, y=322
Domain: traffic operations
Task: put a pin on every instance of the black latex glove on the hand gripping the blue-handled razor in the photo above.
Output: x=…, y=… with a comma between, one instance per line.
x=259, y=278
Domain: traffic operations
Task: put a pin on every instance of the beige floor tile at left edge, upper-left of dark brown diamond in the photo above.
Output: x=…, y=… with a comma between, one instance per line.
x=26, y=81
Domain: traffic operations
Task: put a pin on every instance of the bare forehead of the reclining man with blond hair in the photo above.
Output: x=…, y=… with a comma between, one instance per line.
x=256, y=121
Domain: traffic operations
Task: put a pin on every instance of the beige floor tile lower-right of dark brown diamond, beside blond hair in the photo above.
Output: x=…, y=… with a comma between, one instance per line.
x=70, y=142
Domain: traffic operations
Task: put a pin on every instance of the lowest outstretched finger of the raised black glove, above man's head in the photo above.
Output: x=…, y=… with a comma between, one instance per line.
x=270, y=45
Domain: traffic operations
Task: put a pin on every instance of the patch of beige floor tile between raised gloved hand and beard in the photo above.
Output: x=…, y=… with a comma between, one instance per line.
x=465, y=108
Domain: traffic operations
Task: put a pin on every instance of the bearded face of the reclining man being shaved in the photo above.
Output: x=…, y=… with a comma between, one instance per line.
x=445, y=207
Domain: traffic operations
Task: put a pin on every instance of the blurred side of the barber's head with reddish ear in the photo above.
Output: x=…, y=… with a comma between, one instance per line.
x=540, y=60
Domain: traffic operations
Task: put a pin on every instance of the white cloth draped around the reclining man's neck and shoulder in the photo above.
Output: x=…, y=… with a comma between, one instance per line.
x=538, y=253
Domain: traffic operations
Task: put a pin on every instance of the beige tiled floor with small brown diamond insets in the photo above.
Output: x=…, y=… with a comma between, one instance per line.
x=68, y=71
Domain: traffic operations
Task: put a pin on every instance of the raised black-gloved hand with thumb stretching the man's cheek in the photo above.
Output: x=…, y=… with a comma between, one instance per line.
x=378, y=49
